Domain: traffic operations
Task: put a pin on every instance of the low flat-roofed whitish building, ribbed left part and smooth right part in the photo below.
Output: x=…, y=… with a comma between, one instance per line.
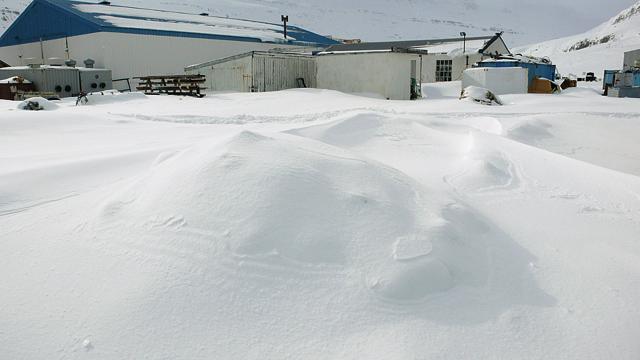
x=392, y=74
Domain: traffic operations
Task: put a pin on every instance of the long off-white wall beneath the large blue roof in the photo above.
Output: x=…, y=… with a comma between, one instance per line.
x=130, y=55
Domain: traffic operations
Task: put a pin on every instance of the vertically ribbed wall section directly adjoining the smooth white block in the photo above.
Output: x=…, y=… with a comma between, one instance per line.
x=280, y=72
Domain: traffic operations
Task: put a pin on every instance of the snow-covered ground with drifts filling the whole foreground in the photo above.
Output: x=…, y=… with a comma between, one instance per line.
x=310, y=224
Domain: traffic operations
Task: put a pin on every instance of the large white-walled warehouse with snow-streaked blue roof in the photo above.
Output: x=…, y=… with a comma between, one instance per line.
x=135, y=41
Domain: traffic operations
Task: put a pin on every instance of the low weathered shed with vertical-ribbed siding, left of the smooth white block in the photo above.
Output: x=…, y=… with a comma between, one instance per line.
x=258, y=71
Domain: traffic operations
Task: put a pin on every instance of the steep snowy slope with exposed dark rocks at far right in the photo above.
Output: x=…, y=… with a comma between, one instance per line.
x=596, y=50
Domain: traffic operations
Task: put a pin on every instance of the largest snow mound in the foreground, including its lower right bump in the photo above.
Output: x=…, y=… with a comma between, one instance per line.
x=343, y=213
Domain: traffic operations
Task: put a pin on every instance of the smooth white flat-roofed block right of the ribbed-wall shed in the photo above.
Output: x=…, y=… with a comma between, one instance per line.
x=386, y=74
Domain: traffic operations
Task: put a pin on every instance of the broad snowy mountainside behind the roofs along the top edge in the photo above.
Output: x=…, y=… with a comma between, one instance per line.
x=396, y=19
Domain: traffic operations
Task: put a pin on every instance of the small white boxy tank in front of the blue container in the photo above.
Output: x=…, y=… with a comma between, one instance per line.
x=500, y=80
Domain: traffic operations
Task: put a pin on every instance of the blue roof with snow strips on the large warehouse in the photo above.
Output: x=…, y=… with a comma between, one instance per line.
x=55, y=19
